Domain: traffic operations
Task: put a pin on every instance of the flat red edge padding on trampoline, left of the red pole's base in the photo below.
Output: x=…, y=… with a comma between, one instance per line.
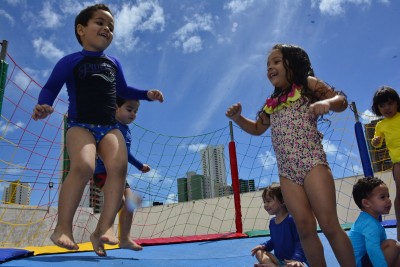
x=184, y=239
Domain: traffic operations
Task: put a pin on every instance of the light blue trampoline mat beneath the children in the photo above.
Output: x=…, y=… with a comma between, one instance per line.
x=232, y=252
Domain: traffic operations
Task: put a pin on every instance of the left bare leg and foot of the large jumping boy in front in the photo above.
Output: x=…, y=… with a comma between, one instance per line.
x=82, y=151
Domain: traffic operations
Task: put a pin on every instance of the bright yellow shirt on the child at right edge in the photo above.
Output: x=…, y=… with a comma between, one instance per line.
x=389, y=129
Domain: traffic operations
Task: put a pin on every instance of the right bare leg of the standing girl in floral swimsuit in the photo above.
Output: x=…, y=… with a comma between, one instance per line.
x=320, y=189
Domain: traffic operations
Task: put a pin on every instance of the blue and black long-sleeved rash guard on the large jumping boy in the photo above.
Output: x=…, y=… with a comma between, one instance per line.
x=93, y=81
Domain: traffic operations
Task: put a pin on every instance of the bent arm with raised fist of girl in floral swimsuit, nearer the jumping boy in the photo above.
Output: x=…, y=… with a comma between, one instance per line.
x=252, y=127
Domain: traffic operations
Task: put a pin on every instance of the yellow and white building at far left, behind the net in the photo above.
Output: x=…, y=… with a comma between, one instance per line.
x=17, y=193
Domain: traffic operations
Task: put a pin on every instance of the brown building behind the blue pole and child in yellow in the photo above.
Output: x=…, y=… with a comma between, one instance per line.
x=380, y=158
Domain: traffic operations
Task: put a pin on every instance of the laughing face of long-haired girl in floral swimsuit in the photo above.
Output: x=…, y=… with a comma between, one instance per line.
x=277, y=73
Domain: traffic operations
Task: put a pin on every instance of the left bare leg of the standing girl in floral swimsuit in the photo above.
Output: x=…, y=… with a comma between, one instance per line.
x=298, y=205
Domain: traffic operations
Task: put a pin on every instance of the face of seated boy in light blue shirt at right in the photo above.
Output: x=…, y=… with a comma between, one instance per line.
x=378, y=202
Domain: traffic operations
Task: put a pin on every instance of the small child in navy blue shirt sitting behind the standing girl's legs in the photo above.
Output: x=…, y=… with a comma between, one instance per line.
x=284, y=239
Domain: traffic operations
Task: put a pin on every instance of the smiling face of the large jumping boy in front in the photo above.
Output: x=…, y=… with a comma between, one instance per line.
x=98, y=33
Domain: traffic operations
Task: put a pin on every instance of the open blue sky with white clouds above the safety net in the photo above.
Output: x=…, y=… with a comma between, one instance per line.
x=207, y=55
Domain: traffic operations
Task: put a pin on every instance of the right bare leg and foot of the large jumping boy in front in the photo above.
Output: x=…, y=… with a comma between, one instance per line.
x=112, y=150
